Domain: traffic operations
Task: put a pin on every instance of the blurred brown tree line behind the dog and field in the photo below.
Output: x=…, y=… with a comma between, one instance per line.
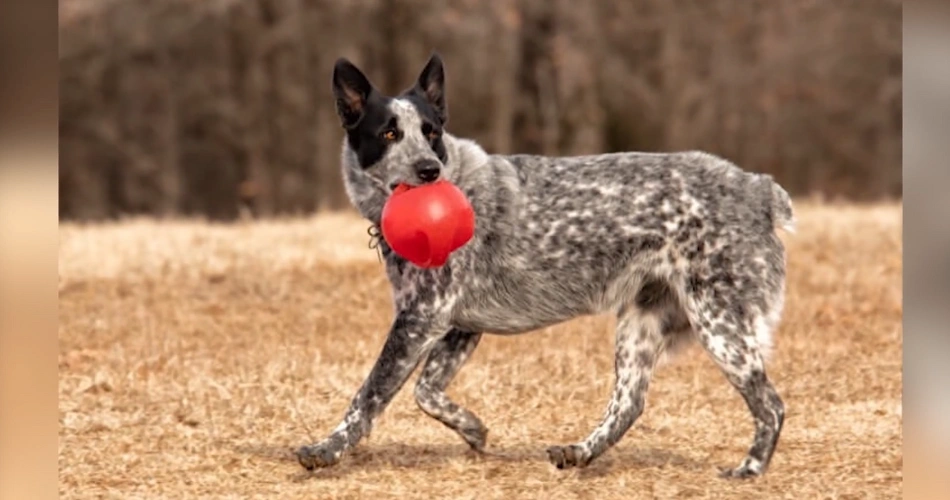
x=217, y=108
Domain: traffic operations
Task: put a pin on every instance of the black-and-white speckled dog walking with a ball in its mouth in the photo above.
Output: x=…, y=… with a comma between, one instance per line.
x=679, y=246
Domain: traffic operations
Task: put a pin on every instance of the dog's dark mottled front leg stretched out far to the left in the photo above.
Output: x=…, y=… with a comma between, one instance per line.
x=409, y=340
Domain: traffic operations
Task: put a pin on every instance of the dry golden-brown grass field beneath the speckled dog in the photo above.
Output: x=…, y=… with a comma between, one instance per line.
x=194, y=357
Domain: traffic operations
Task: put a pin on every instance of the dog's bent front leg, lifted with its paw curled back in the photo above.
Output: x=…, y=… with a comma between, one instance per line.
x=444, y=361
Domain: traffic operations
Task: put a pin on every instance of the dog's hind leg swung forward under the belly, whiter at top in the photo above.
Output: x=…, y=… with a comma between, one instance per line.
x=639, y=344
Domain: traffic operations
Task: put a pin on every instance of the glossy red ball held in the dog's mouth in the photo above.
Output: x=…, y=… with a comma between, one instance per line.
x=427, y=223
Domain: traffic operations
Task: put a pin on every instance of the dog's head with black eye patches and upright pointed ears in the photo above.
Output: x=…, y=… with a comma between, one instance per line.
x=390, y=140
